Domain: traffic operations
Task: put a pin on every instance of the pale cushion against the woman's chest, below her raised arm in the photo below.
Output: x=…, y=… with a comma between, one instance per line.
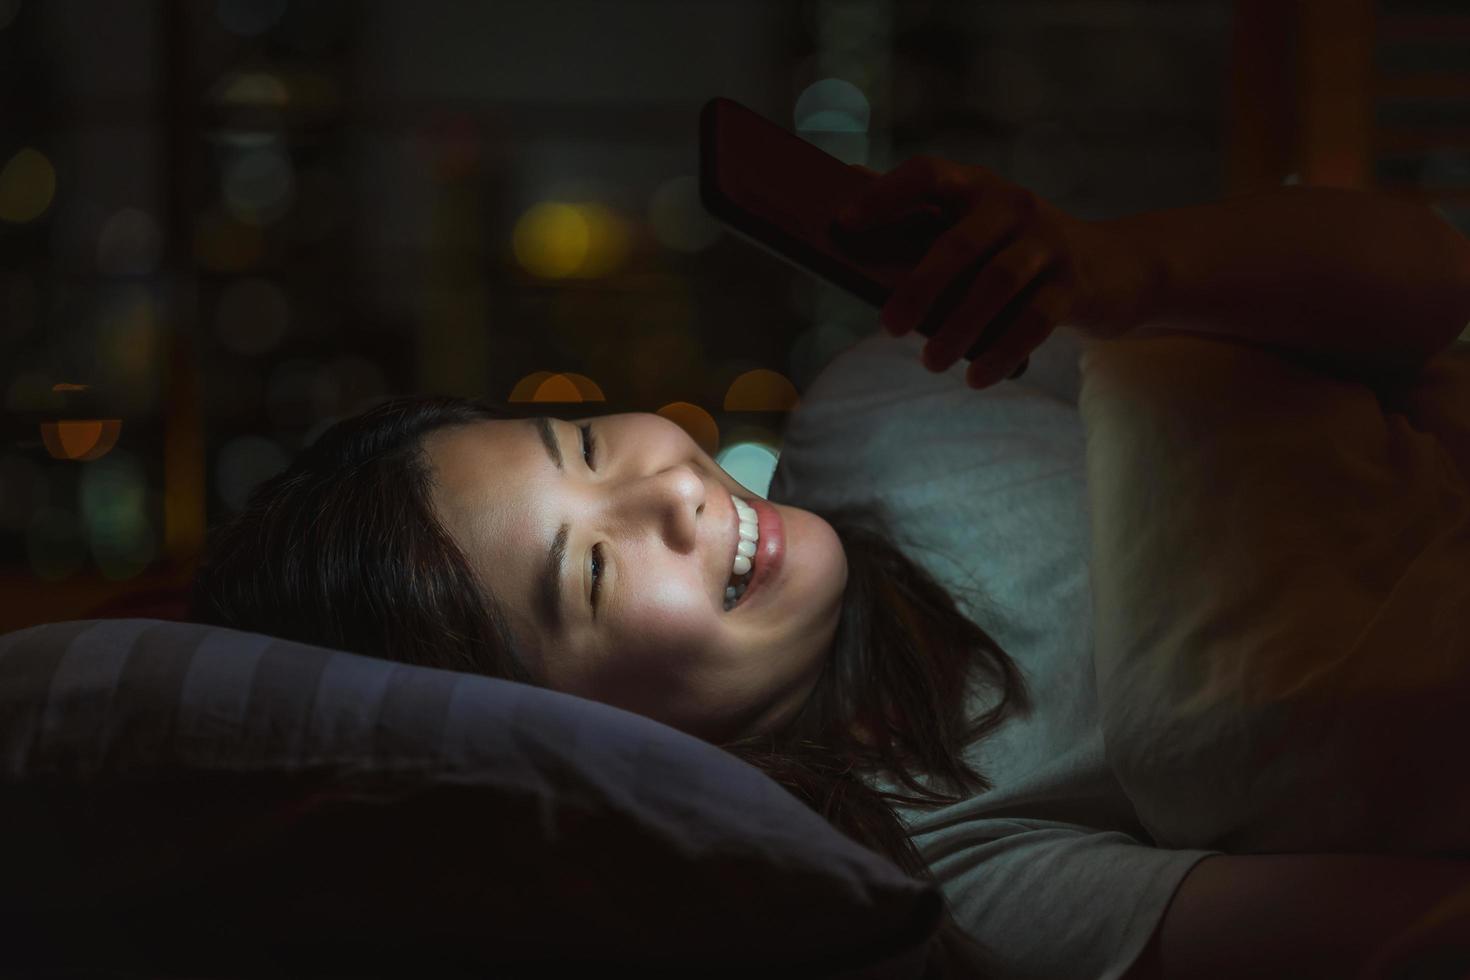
x=1281, y=602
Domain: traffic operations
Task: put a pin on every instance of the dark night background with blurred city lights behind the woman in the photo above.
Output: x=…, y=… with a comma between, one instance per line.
x=226, y=224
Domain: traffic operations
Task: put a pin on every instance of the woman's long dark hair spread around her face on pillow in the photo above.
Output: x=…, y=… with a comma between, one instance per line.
x=343, y=550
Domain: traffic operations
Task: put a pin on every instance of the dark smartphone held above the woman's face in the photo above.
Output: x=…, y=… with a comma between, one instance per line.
x=781, y=193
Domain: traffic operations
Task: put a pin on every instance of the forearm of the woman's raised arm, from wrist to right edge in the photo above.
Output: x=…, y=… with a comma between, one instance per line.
x=1355, y=277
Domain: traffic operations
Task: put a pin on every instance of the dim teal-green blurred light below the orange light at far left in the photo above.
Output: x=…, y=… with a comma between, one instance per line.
x=114, y=502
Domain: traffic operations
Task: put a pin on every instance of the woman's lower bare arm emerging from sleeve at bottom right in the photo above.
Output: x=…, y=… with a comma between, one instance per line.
x=1300, y=916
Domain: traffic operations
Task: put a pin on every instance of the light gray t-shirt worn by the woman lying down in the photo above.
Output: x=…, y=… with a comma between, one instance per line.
x=1050, y=869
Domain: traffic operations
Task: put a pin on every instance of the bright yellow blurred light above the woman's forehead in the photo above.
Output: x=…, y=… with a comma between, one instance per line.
x=556, y=240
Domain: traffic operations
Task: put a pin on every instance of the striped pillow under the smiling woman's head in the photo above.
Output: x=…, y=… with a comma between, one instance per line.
x=207, y=800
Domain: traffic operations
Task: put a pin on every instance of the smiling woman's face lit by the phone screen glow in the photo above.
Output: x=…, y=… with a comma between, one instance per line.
x=659, y=512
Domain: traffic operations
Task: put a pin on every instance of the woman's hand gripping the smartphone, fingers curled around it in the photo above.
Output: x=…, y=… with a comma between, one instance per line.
x=1022, y=265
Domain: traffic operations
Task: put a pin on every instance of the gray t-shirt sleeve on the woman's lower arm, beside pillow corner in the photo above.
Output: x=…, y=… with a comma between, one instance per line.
x=1055, y=900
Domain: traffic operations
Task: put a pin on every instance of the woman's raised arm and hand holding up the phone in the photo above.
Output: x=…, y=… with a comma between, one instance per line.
x=1356, y=280
